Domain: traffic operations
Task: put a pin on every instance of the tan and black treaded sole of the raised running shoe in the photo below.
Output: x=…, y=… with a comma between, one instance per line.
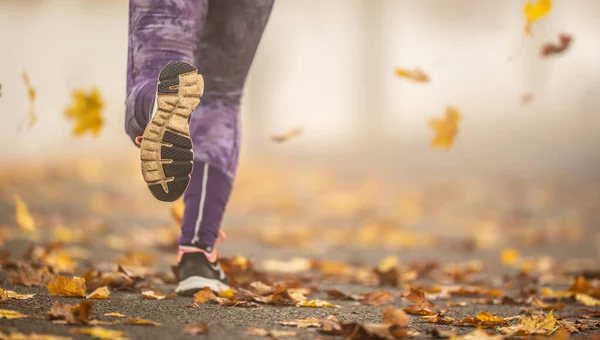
x=166, y=150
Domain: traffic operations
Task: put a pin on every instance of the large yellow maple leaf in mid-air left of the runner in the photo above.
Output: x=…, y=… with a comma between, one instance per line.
x=86, y=110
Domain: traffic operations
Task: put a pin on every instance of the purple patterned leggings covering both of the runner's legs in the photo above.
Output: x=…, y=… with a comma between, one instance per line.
x=220, y=38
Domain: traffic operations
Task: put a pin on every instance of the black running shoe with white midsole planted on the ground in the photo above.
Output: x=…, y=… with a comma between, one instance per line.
x=197, y=272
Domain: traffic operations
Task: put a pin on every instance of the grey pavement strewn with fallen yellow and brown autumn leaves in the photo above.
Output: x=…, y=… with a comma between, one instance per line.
x=312, y=252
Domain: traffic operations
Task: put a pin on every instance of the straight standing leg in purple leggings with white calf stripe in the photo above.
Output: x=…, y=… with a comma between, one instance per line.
x=227, y=46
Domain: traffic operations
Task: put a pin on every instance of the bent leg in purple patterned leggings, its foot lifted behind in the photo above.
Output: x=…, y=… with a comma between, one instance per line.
x=160, y=31
